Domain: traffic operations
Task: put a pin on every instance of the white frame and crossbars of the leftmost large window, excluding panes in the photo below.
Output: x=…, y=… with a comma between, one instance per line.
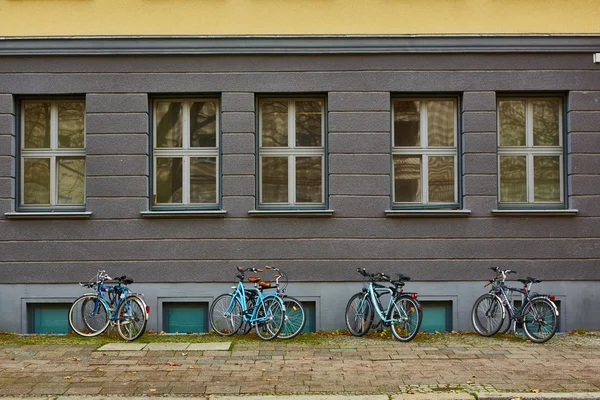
x=52, y=153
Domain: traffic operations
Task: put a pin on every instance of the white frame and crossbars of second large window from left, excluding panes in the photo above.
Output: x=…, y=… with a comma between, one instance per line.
x=185, y=153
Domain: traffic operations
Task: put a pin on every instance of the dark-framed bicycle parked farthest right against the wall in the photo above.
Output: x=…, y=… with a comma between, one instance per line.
x=538, y=314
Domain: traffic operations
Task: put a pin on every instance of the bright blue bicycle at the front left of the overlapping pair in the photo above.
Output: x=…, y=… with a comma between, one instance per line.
x=228, y=311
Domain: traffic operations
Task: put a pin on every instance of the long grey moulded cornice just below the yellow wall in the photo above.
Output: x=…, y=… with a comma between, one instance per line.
x=332, y=44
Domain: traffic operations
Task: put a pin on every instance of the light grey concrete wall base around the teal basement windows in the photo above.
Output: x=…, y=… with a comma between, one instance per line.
x=579, y=300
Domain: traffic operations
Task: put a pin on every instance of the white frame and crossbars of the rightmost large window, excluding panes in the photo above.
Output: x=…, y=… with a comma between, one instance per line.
x=529, y=151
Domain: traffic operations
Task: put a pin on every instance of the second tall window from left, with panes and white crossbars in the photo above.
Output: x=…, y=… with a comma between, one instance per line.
x=186, y=153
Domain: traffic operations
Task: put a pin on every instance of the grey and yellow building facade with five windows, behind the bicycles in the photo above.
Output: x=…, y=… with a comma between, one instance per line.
x=433, y=141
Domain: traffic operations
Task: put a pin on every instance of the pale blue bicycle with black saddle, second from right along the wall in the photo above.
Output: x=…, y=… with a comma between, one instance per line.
x=403, y=312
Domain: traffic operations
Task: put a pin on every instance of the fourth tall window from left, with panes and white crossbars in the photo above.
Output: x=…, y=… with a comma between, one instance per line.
x=424, y=153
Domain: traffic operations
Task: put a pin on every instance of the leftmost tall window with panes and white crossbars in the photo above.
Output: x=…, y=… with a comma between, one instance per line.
x=52, y=166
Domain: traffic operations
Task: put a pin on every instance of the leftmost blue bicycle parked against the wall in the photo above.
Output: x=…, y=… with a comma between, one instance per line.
x=92, y=313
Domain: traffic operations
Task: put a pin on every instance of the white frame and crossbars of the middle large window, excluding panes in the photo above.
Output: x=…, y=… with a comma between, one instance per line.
x=291, y=152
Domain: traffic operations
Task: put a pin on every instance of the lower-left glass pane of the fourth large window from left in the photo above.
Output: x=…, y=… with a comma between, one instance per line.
x=407, y=179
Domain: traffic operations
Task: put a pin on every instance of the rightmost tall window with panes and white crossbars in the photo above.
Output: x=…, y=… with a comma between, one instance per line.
x=530, y=151
